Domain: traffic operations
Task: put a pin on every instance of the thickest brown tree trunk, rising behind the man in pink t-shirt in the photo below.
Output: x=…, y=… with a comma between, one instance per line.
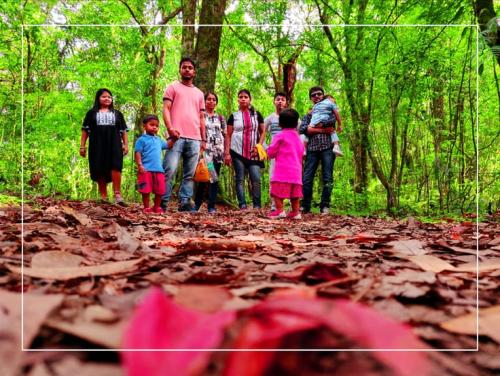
x=208, y=43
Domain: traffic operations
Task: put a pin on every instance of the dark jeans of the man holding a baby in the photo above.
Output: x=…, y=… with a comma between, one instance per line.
x=313, y=158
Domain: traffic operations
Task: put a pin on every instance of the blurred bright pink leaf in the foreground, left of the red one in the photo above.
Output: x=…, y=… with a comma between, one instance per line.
x=158, y=323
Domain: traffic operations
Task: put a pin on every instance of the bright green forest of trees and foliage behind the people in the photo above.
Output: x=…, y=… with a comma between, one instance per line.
x=414, y=99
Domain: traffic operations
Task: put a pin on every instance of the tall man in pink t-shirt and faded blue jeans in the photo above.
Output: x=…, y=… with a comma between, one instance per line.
x=184, y=117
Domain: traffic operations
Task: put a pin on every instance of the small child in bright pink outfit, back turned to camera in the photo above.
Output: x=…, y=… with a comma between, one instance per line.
x=287, y=150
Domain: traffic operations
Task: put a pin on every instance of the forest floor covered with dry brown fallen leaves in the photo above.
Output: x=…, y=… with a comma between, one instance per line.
x=88, y=265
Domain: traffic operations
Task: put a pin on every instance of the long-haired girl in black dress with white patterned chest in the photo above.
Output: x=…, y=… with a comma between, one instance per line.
x=107, y=133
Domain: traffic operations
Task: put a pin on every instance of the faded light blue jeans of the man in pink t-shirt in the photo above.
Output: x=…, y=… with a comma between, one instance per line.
x=189, y=150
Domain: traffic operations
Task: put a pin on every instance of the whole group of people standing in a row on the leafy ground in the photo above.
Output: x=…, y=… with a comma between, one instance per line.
x=195, y=130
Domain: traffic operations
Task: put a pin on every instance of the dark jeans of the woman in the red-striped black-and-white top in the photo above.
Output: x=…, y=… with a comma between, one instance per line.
x=239, y=177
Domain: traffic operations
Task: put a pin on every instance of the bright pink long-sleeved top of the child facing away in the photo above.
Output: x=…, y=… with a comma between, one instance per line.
x=287, y=149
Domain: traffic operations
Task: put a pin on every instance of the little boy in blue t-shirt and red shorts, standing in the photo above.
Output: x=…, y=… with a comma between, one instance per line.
x=148, y=156
